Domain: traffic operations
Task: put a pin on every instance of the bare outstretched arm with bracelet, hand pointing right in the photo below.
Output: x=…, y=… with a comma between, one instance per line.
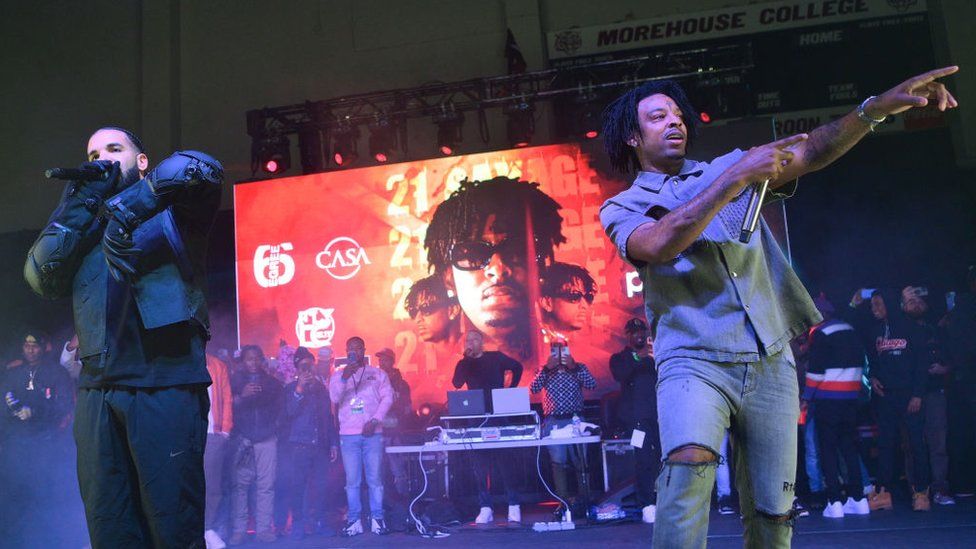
x=830, y=141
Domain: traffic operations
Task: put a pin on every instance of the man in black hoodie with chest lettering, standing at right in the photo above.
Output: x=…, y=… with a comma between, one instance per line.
x=899, y=376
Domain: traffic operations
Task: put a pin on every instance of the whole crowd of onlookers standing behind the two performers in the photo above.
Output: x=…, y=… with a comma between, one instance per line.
x=887, y=401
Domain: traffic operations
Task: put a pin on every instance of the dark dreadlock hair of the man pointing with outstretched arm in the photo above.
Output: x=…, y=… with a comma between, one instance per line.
x=620, y=122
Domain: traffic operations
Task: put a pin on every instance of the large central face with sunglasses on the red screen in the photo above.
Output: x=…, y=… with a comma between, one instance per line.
x=492, y=291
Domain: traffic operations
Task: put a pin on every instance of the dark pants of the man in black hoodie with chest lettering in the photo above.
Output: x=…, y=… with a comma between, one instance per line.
x=892, y=411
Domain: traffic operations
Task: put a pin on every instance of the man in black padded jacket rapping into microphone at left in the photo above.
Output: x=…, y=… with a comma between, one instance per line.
x=129, y=247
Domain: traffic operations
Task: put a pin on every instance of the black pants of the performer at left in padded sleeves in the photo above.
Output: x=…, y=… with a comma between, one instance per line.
x=140, y=465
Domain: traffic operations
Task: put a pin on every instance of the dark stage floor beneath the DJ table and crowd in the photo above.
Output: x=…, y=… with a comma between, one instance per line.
x=943, y=527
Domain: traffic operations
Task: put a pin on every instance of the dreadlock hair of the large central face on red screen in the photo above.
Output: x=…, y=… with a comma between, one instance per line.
x=463, y=214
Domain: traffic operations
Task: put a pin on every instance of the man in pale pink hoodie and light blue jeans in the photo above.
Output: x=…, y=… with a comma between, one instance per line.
x=363, y=396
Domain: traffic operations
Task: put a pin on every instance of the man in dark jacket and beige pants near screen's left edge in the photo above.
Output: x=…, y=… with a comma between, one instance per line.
x=257, y=404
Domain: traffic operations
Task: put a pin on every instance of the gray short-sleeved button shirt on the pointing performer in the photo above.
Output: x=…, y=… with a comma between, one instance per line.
x=719, y=300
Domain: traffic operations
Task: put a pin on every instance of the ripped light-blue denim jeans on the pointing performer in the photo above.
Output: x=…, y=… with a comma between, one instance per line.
x=759, y=402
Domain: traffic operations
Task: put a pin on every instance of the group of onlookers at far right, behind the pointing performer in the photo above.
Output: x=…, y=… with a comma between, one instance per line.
x=883, y=364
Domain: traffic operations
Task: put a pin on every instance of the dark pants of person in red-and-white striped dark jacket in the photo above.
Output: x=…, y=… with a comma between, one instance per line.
x=836, y=426
